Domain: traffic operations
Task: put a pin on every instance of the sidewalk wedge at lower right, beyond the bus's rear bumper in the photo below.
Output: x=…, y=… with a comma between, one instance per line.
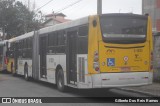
x=152, y=90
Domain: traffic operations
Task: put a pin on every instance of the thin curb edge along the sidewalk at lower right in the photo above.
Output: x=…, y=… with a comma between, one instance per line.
x=142, y=92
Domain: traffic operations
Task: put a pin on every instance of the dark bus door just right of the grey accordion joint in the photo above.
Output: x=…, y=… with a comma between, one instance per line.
x=43, y=53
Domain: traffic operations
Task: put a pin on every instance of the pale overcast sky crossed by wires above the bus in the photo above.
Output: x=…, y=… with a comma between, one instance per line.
x=87, y=7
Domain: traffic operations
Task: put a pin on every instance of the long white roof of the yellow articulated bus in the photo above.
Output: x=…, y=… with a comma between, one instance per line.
x=69, y=24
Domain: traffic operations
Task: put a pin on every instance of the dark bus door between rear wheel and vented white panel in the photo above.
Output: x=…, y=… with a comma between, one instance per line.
x=71, y=57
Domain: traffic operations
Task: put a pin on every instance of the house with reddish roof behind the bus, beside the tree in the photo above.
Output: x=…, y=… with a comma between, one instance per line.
x=54, y=18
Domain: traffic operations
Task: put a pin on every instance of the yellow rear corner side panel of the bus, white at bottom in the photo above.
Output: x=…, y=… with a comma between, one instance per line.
x=94, y=31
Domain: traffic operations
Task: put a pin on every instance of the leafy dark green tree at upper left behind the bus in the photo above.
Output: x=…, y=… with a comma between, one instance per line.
x=16, y=19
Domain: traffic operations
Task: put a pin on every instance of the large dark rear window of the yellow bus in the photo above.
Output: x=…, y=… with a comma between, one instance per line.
x=123, y=29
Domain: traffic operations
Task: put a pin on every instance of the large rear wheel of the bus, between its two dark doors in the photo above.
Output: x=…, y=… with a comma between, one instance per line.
x=60, y=80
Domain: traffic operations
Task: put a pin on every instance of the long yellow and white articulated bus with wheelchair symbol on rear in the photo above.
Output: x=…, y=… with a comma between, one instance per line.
x=110, y=50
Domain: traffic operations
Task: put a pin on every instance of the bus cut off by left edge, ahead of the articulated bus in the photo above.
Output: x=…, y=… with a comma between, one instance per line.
x=3, y=59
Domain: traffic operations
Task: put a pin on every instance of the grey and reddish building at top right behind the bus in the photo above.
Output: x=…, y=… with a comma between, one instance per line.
x=152, y=7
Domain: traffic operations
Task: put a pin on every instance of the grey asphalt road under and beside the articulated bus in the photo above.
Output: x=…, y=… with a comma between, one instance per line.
x=17, y=87
